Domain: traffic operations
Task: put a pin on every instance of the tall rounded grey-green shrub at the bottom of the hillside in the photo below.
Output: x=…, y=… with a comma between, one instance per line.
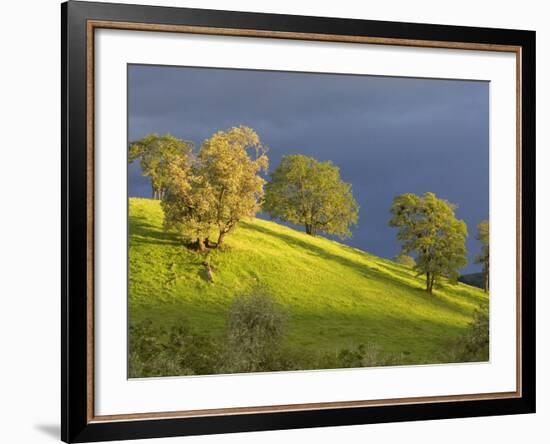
x=255, y=328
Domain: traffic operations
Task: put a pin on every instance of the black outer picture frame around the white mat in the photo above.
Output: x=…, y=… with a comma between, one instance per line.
x=76, y=424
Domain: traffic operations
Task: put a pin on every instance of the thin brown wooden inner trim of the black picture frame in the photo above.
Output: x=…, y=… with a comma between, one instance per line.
x=94, y=24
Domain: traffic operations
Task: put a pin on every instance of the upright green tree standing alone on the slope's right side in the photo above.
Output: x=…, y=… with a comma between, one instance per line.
x=428, y=227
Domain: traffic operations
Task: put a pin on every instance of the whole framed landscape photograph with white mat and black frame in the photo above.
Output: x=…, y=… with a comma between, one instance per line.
x=275, y=221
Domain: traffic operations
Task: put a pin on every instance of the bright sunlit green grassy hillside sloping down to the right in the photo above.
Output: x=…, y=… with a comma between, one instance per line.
x=336, y=296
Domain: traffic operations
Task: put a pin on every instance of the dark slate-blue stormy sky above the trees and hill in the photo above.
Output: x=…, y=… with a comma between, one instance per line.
x=388, y=135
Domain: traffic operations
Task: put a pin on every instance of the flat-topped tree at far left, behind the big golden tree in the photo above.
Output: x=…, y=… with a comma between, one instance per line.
x=156, y=154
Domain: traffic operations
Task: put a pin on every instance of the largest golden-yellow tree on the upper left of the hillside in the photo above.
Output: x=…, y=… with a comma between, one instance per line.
x=217, y=188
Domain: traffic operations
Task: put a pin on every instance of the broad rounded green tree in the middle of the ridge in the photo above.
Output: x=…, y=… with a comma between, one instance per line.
x=305, y=191
